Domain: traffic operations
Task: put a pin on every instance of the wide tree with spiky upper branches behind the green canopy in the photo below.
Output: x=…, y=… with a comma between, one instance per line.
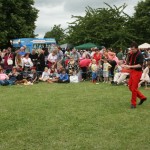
x=103, y=26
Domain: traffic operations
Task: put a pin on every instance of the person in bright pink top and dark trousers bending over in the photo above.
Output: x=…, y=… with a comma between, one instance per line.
x=84, y=65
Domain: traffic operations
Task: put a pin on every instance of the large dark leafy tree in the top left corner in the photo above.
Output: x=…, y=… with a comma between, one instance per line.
x=17, y=19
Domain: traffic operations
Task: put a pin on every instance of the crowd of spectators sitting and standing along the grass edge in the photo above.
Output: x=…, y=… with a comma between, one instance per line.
x=97, y=65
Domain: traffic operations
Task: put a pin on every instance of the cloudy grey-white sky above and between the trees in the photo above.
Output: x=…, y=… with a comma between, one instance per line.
x=55, y=12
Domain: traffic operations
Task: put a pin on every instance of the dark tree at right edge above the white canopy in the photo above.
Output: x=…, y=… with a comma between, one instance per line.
x=140, y=22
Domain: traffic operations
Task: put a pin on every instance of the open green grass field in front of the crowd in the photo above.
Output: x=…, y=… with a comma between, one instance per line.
x=80, y=116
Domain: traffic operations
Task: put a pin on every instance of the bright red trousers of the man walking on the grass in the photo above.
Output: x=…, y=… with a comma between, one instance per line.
x=133, y=86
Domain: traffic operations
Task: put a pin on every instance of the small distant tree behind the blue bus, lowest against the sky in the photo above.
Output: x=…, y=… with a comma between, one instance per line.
x=56, y=32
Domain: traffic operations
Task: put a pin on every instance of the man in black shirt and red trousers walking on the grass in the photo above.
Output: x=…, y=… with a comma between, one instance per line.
x=135, y=64
